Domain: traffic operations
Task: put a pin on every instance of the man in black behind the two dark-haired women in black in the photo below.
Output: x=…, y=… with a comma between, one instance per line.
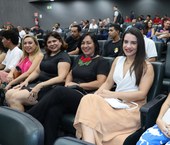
x=73, y=40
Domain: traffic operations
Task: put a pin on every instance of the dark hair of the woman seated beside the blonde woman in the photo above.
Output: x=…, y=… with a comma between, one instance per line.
x=57, y=36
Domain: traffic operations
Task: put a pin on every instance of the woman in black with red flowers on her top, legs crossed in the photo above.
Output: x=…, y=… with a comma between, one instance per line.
x=89, y=72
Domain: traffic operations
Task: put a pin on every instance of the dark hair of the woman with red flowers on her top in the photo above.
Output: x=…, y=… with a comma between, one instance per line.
x=95, y=41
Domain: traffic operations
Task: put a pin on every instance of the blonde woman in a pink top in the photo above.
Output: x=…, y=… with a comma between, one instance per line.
x=31, y=58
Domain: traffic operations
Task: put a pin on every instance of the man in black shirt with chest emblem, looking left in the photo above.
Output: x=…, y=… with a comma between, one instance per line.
x=112, y=48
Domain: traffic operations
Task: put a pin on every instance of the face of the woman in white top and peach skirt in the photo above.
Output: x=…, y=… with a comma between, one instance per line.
x=130, y=45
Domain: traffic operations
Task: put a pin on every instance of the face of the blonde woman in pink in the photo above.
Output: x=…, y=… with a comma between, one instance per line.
x=29, y=45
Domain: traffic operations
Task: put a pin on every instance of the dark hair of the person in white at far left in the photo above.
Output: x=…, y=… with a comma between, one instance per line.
x=12, y=35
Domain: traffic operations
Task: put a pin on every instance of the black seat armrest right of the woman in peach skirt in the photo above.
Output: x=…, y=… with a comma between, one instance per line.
x=150, y=111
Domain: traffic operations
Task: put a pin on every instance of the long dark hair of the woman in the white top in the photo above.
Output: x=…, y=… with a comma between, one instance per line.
x=139, y=63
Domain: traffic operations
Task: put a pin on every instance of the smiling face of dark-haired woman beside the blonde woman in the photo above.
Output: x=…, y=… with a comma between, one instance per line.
x=53, y=44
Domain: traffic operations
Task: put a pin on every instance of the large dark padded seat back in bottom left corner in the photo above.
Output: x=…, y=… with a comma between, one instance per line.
x=19, y=128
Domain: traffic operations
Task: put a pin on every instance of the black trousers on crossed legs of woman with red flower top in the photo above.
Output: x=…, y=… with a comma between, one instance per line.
x=51, y=108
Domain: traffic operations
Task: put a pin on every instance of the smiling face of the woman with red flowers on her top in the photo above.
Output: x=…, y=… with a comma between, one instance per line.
x=88, y=46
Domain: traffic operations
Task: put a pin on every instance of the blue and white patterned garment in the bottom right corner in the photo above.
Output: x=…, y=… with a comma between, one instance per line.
x=153, y=136
